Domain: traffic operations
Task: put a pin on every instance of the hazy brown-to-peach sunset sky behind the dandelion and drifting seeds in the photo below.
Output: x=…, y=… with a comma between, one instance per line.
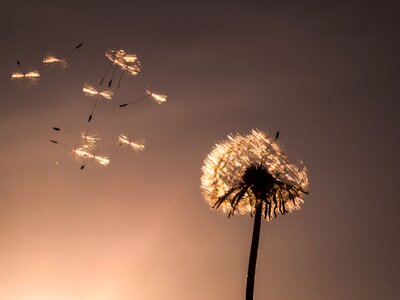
x=326, y=75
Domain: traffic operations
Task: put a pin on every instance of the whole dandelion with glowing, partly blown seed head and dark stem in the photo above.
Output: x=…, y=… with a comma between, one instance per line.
x=251, y=174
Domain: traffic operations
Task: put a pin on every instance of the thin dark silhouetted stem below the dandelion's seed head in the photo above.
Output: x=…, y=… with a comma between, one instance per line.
x=251, y=271
